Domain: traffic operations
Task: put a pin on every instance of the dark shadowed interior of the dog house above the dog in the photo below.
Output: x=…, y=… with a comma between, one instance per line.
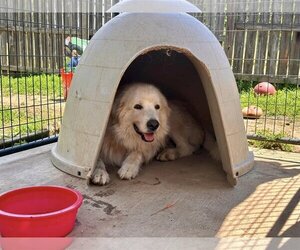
x=172, y=71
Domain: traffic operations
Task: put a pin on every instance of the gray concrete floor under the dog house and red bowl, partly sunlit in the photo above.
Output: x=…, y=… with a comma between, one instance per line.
x=200, y=201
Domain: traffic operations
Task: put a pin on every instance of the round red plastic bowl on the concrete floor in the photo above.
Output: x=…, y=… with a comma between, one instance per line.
x=40, y=211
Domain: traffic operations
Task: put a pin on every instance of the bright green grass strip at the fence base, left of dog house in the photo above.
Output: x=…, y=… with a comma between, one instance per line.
x=31, y=85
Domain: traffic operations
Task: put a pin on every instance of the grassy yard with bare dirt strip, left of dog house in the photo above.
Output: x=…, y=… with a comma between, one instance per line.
x=22, y=116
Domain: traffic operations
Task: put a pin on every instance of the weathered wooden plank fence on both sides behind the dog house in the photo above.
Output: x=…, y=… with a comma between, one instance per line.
x=259, y=46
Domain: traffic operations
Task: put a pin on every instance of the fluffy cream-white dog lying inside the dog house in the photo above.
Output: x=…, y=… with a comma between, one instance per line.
x=140, y=125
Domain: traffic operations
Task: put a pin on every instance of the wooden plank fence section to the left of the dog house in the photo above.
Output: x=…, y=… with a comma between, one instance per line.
x=35, y=42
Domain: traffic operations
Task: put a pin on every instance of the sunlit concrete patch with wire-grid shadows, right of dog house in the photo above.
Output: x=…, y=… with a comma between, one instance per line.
x=271, y=208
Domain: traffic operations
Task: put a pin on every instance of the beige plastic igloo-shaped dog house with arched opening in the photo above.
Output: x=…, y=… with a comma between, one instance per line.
x=152, y=42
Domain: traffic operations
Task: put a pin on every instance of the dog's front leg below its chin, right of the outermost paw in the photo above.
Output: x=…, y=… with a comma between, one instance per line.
x=131, y=166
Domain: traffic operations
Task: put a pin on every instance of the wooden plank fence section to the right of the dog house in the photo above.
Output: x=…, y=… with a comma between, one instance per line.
x=260, y=46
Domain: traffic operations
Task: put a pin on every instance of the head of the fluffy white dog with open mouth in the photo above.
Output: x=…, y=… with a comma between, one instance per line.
x=142, y=111
